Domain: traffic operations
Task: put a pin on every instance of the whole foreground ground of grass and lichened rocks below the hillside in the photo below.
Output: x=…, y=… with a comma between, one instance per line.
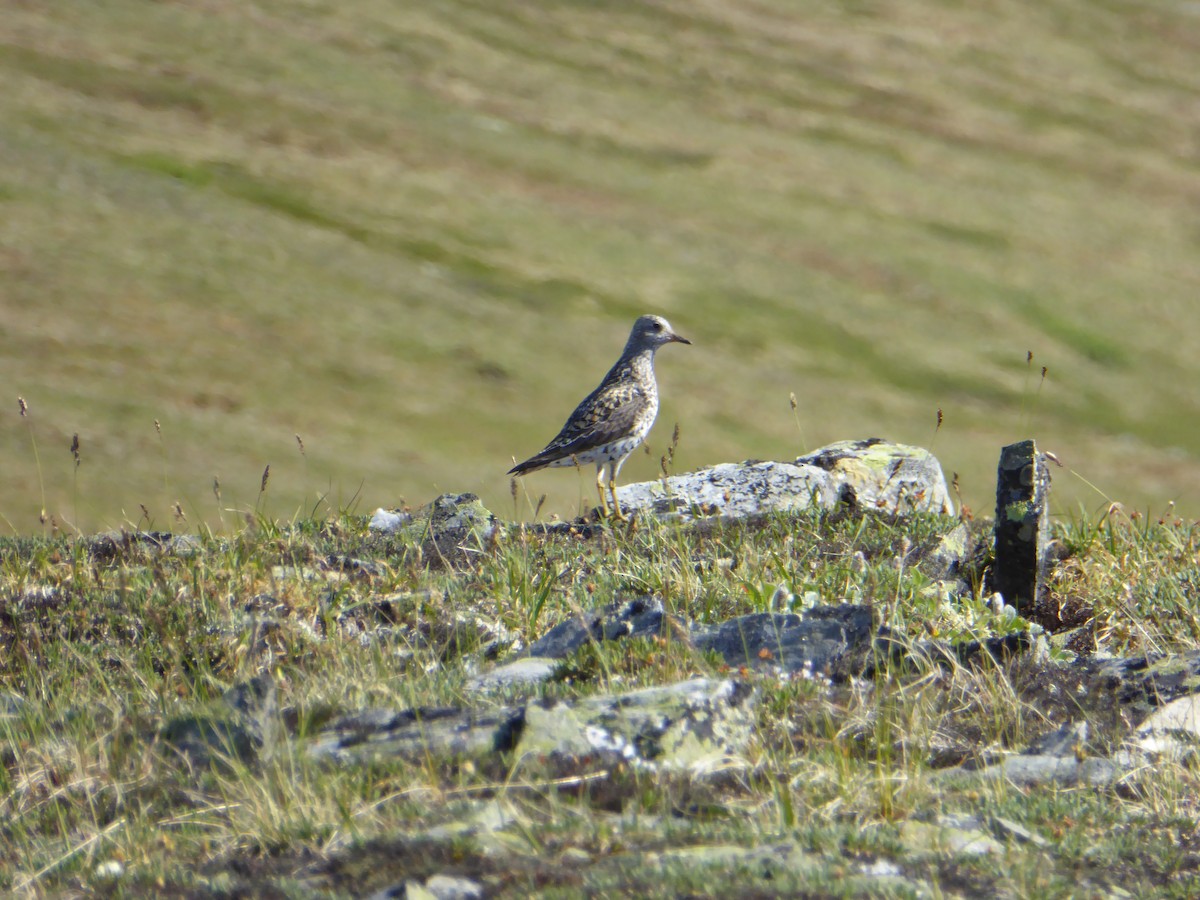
x=725, y=694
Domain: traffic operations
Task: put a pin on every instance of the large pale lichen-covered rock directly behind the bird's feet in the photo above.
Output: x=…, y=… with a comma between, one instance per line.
x=869, y=475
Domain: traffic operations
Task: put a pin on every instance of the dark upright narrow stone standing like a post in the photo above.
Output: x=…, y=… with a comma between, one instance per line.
x=1023, y=525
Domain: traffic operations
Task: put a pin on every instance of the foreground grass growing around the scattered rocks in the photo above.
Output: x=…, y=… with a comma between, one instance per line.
x=105, y=651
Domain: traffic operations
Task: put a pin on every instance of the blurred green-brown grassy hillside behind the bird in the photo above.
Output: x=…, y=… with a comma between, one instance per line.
x=417, y=235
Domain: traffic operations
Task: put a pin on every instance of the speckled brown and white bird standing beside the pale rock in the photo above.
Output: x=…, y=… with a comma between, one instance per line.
x=615, y=419
